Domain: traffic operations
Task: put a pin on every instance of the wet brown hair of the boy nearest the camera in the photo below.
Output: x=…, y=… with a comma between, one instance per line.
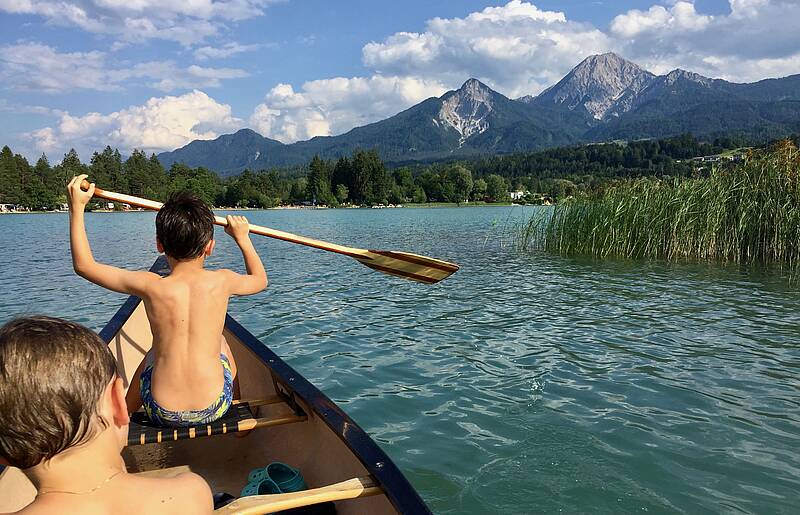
x=52, y=375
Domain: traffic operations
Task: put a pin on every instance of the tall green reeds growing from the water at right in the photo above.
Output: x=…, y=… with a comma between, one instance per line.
x=744, y=213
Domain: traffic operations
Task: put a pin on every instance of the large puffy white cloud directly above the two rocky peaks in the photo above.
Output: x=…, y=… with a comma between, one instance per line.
x=517, y=48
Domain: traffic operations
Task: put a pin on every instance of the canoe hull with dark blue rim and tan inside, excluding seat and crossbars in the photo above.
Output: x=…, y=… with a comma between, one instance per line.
x=328, y=447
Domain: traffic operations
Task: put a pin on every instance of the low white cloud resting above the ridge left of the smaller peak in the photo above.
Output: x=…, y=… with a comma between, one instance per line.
x=332, y=106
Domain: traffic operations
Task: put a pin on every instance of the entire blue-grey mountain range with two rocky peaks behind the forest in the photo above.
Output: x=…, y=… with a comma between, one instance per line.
x=603, y=98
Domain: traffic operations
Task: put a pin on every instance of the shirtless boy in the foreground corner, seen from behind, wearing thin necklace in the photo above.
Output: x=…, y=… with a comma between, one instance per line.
x=64, y=422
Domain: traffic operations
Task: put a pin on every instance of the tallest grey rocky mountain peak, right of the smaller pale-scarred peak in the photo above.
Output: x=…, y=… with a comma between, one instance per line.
x=603, y=84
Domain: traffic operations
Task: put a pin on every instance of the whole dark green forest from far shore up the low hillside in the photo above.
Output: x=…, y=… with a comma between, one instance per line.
x=362, y=178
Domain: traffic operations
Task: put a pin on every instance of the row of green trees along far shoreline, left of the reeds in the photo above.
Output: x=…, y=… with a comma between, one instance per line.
x=359, y=179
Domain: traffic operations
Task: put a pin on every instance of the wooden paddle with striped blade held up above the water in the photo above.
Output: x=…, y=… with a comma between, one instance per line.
x=401, y=264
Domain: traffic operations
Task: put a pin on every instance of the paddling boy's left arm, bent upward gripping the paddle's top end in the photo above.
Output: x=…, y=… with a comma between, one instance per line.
x=111, y=277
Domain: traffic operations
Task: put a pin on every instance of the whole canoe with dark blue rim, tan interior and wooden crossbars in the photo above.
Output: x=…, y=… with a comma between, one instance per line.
x=292, y=422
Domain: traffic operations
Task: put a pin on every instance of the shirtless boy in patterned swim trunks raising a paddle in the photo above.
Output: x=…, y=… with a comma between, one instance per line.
x=188, y=376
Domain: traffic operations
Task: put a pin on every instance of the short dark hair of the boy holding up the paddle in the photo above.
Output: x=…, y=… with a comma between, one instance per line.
x=184, y=226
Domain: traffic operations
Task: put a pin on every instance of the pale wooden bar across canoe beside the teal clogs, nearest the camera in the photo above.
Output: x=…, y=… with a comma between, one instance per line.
x=260, y=504
